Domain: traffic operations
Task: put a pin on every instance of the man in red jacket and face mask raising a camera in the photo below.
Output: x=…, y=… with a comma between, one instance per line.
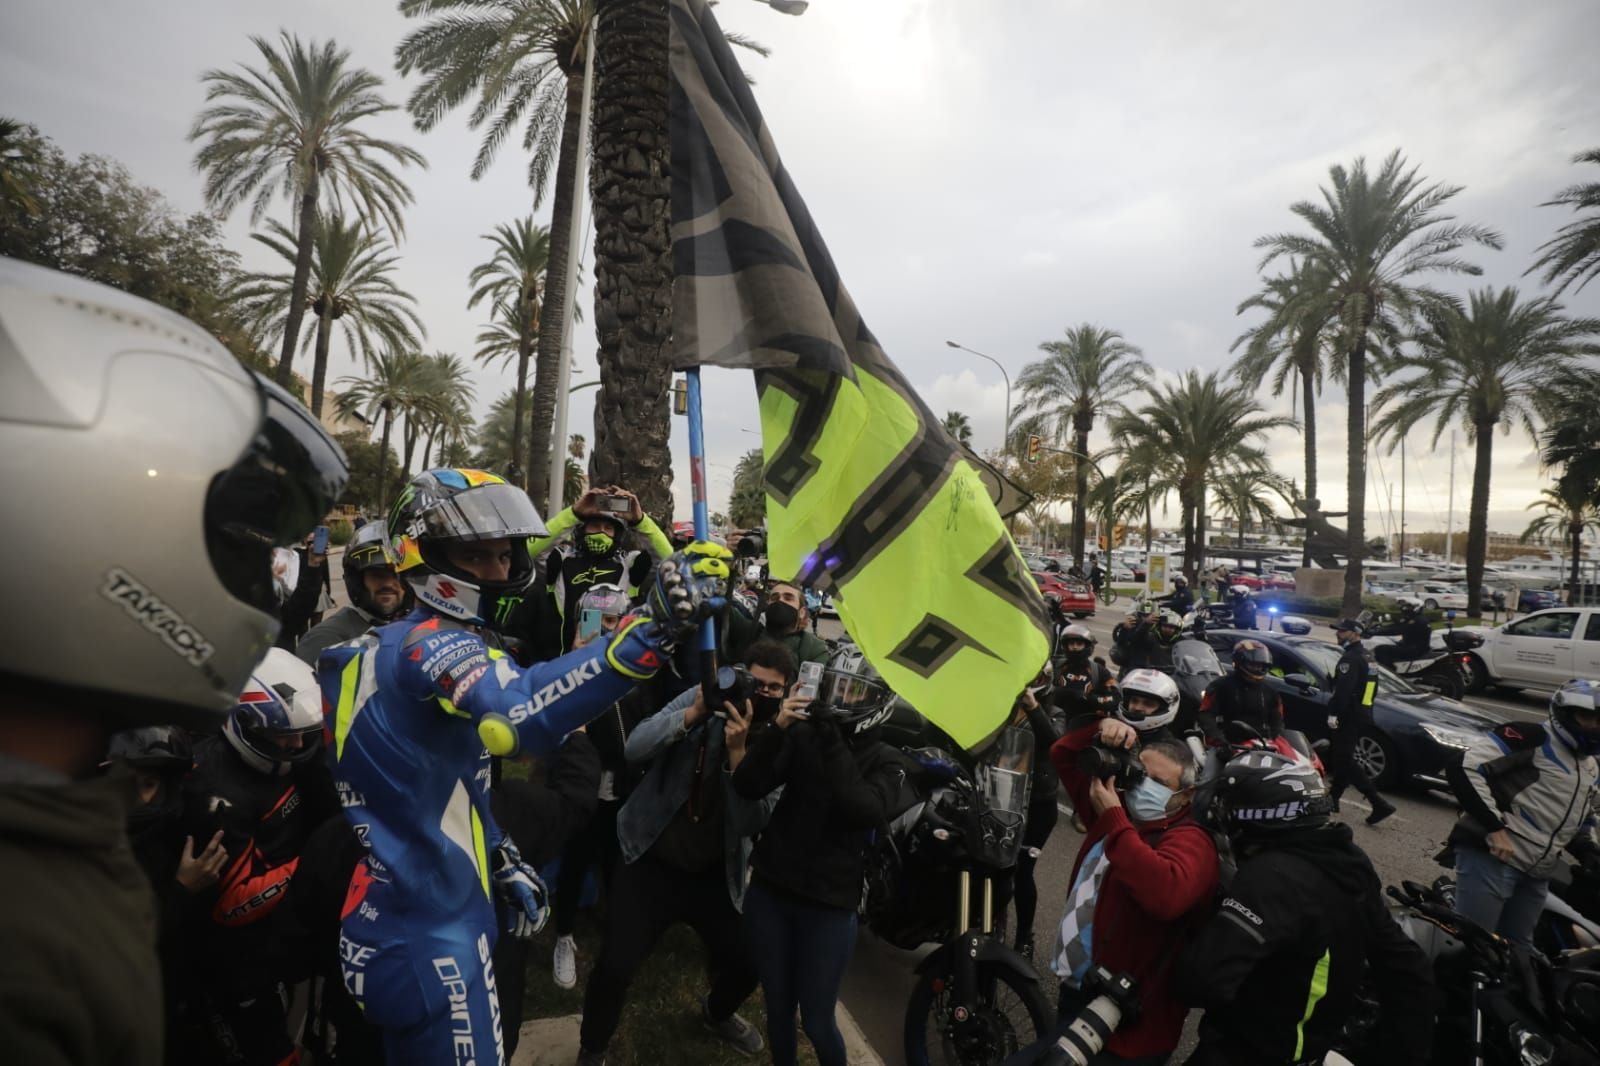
x=1145, y=873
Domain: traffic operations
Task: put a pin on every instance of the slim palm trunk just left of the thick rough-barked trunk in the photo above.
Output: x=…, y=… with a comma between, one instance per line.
x=546, y=375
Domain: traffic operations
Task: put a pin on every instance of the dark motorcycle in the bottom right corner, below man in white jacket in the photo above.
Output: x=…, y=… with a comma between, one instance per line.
x=1503, y=1003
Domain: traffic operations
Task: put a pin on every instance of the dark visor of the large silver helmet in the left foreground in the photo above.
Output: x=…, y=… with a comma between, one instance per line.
x=278, y=492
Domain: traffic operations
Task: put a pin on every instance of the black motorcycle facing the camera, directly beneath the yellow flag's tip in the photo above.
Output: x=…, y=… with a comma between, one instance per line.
x=930, y=881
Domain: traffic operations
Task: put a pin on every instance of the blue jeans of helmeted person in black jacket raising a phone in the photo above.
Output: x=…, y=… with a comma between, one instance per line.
x=801, y=952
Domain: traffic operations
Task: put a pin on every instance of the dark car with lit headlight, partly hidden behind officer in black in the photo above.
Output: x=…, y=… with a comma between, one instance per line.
x=1415, y=732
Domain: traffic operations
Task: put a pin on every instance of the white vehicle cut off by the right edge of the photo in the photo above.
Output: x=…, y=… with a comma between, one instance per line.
x=1540, y=651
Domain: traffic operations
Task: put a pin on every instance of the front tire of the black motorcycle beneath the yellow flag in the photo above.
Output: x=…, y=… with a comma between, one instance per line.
x=988, y=1040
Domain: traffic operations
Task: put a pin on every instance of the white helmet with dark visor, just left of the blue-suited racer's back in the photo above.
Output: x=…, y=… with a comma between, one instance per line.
x=278, y=721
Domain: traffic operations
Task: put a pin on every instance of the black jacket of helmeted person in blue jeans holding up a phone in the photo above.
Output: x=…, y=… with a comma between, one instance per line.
x=834, y=798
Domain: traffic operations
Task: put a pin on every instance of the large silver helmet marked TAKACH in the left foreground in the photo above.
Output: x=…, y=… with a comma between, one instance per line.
x=154, y=476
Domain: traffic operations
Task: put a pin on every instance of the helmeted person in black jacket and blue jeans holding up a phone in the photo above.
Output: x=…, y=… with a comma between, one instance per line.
x=839, y=787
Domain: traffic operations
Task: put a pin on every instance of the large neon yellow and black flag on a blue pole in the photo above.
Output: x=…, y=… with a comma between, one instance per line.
x=866, y=494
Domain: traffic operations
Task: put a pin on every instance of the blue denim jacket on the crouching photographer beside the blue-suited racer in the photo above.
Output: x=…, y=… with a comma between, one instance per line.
x=673, y=750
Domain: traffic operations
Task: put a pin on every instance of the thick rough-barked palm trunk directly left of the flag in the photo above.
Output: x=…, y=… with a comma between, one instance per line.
x=631, y=201
